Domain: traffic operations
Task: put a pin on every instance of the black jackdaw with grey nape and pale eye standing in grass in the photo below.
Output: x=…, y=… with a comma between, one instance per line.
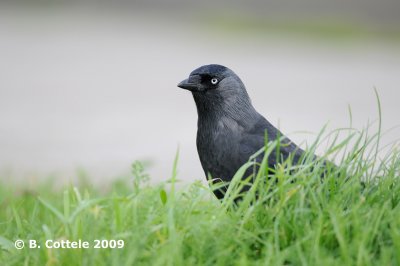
x=229, y=129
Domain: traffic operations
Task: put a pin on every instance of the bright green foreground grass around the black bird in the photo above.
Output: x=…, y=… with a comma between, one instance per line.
x=352, y=217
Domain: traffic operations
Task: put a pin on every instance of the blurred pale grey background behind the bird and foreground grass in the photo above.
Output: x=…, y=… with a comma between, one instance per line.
x=90, y=86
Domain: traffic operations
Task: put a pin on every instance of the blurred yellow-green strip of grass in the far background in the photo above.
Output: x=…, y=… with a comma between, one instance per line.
x=330, y=30
